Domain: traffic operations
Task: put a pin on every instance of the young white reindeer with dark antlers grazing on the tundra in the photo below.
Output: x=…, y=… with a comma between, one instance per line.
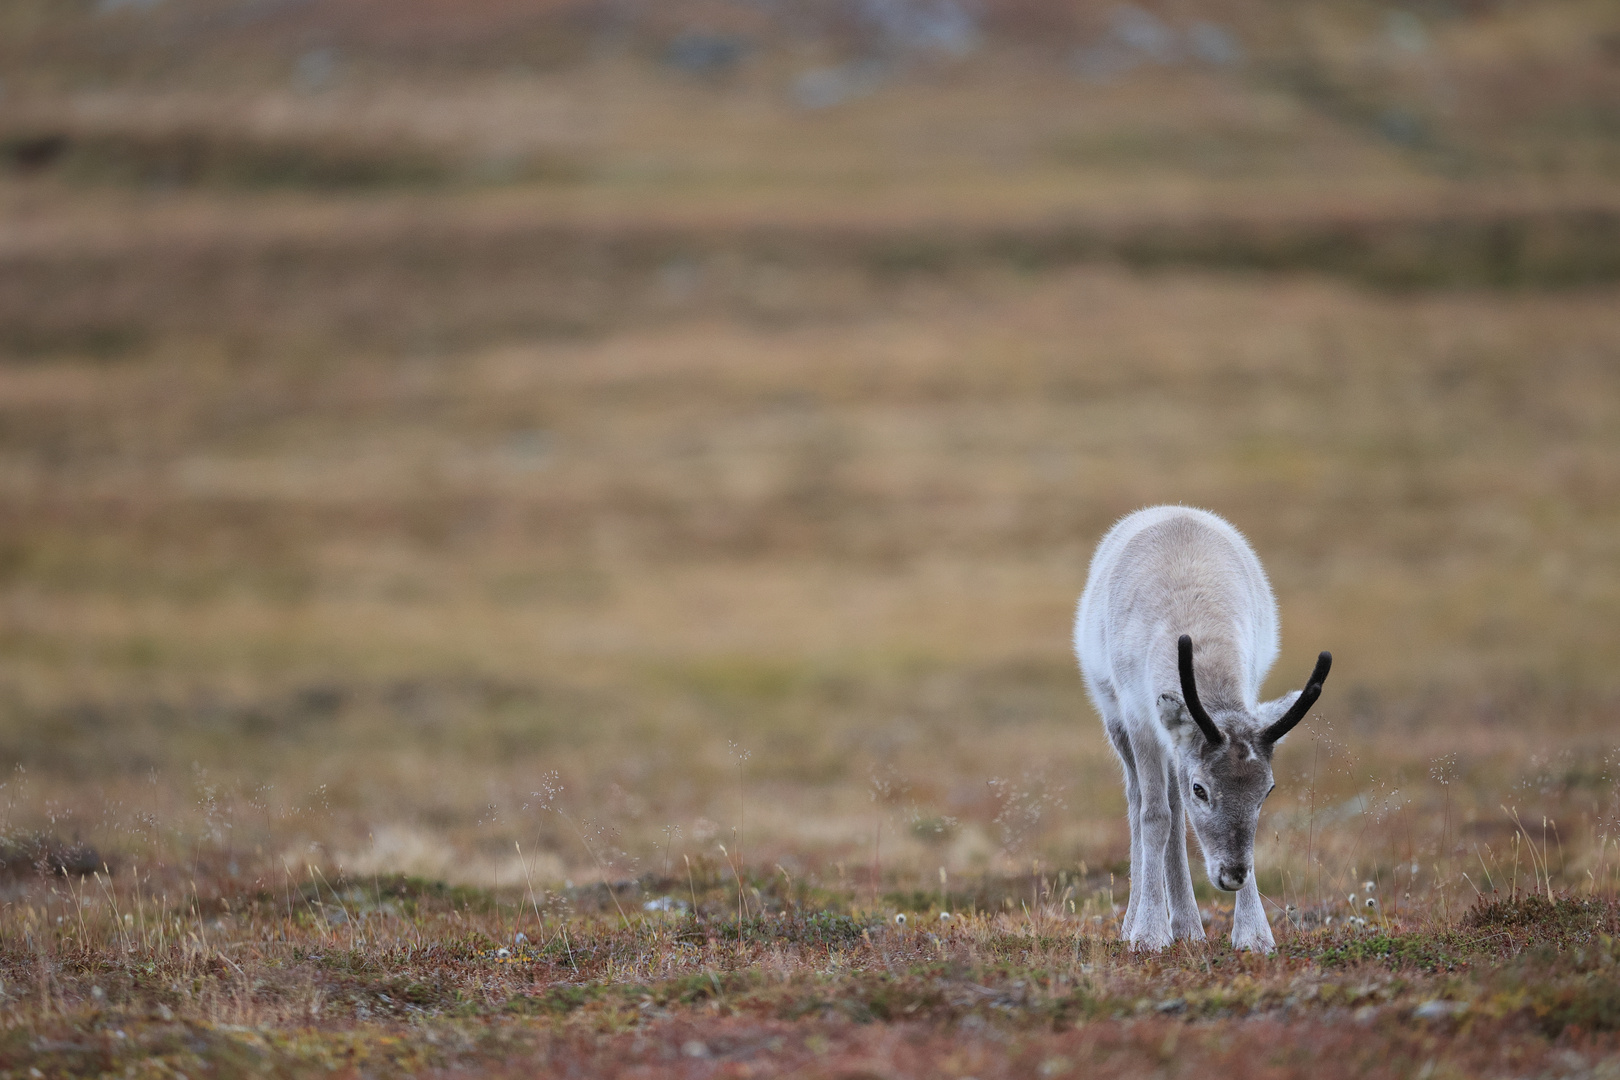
x=1175, y=632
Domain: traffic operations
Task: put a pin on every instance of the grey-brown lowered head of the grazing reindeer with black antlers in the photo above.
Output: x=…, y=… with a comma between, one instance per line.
x=1227, y=765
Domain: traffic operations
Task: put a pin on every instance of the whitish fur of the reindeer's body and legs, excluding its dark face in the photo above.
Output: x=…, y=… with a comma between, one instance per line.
x=1161, y=574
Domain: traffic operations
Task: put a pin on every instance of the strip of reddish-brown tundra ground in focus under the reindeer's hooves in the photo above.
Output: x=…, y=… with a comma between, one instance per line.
x=393, y=977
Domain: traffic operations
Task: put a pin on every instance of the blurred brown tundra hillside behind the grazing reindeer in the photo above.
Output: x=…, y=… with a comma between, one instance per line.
x=422, y=420
